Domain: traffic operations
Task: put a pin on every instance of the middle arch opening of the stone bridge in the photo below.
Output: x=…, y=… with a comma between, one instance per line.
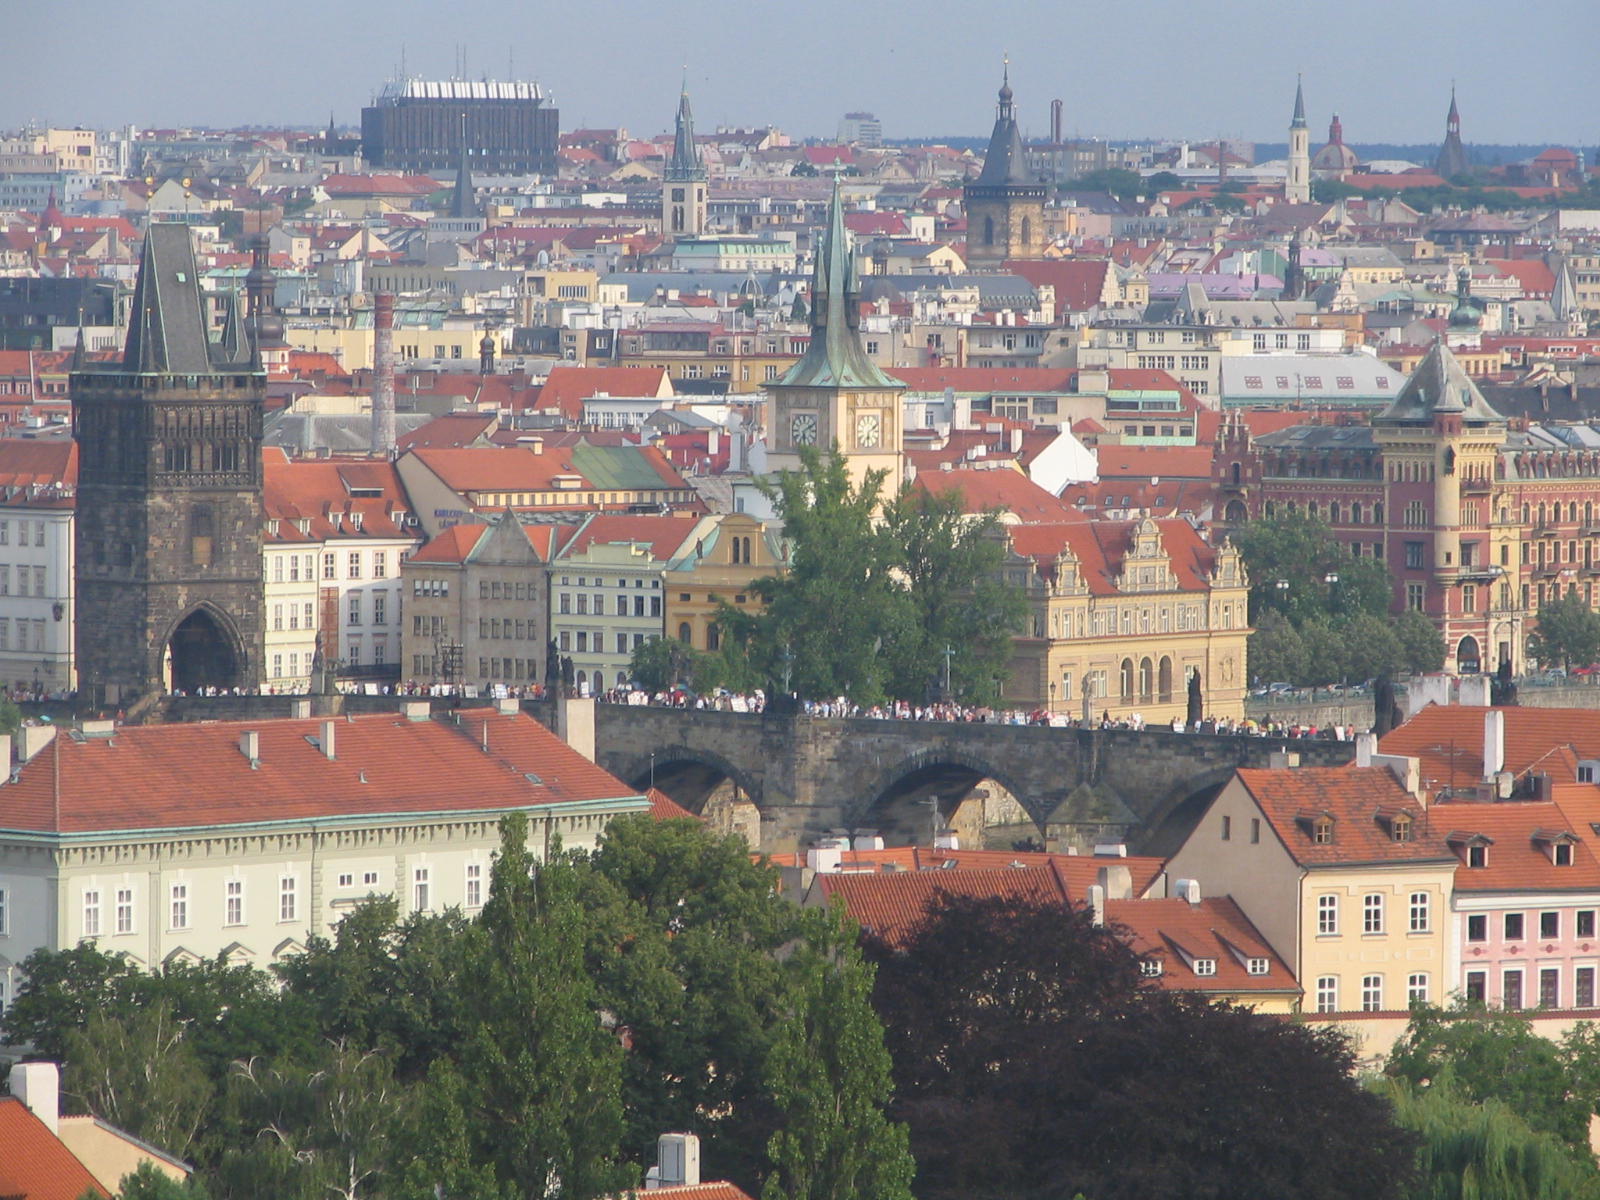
x=902, y=801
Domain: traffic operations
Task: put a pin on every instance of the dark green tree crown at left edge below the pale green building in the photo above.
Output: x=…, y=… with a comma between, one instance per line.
x=63, y=988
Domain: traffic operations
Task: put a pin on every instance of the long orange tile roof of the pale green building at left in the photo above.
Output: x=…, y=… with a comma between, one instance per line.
x=186, y=777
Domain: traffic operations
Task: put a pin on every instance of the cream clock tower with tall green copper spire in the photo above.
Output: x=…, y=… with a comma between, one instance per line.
x=836, y=396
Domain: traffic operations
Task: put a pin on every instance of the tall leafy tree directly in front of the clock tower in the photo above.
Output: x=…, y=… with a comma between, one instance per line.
x=830, y=620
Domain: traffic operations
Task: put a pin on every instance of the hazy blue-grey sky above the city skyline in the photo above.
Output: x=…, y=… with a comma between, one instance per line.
x=1124, y=68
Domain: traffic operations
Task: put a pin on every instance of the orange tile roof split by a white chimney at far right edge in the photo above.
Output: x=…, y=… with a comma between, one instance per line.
x=1449, y=742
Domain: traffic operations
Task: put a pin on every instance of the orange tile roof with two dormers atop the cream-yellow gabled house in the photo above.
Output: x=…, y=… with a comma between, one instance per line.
x=1353, y=796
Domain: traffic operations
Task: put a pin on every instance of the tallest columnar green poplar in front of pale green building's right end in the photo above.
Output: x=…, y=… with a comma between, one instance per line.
x=543, y=1073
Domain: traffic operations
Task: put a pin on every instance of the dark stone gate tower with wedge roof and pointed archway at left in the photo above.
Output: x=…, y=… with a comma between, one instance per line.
x=169, y=506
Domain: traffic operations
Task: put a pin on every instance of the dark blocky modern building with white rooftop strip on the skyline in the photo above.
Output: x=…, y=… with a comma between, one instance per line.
x=422, y=126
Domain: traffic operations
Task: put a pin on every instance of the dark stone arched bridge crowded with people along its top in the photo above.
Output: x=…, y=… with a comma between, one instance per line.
x=809, y=775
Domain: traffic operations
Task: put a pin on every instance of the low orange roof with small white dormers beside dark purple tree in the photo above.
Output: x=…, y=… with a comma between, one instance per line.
x=1178, y=934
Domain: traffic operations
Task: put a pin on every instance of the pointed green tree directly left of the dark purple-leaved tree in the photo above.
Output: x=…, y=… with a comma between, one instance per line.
x=831, y=1079
